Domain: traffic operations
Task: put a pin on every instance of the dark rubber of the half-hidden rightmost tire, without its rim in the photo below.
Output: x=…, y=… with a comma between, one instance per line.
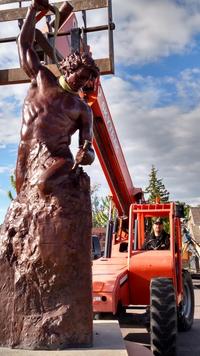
x=184, y=323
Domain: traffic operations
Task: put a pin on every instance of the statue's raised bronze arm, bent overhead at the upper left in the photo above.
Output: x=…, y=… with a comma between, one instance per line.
x=28, y=57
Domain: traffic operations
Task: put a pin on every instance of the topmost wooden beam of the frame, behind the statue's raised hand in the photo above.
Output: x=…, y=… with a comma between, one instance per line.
x=20, y=13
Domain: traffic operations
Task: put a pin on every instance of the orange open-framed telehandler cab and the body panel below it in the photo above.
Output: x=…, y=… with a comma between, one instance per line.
x=148, y=261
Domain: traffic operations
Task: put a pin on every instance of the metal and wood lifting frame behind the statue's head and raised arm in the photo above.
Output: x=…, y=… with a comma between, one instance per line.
x=106, y=65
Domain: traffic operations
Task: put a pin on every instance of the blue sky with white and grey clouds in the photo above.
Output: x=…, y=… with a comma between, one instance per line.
x=153, y=97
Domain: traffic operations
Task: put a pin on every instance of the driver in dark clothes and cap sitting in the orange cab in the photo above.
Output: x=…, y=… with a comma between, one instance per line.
x=158, y=239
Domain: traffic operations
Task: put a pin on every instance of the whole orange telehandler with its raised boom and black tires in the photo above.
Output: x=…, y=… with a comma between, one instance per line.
x=128, y=276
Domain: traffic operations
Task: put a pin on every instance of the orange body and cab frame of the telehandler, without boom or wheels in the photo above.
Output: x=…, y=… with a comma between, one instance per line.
x=124, y=279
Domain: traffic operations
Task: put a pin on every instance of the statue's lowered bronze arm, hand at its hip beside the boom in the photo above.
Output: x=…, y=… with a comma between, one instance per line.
x=86, y=155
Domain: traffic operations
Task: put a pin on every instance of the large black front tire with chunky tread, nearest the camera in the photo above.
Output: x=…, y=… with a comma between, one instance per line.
x=163, y=317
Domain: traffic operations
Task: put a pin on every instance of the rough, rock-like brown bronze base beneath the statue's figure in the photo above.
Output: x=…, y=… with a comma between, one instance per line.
x=45, y=267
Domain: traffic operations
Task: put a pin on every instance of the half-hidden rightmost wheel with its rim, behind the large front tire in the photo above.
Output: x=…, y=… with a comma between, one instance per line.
x=186, y=307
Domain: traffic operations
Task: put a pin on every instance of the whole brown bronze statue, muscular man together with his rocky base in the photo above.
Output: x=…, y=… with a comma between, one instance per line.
x=45, y=241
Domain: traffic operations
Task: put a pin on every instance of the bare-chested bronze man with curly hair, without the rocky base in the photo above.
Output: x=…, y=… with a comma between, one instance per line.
x=53, y=110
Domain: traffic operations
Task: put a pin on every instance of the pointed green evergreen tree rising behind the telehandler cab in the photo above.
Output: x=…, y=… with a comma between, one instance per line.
x=156, y=188
